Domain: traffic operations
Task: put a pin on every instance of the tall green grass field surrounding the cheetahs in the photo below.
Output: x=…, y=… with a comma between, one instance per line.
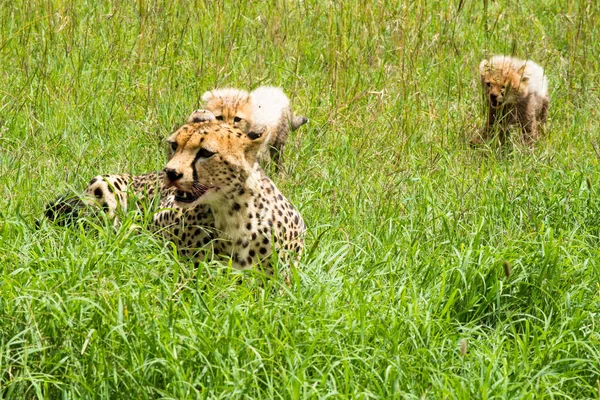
x=432, y=270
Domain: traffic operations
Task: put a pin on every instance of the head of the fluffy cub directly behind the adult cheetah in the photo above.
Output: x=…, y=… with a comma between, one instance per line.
x=231, y=106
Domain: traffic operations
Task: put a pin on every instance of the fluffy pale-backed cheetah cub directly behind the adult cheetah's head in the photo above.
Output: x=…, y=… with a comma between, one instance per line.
x=241, y=109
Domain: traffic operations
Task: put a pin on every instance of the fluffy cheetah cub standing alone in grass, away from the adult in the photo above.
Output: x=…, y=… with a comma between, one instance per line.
x=516, y=92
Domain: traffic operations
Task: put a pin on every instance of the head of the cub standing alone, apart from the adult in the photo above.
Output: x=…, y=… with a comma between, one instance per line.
x=503, y=83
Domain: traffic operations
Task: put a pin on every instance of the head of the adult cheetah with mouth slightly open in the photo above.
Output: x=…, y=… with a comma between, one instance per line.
x=211, y=161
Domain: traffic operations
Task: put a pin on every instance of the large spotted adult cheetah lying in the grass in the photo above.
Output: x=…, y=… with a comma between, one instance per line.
x=215, y=197
